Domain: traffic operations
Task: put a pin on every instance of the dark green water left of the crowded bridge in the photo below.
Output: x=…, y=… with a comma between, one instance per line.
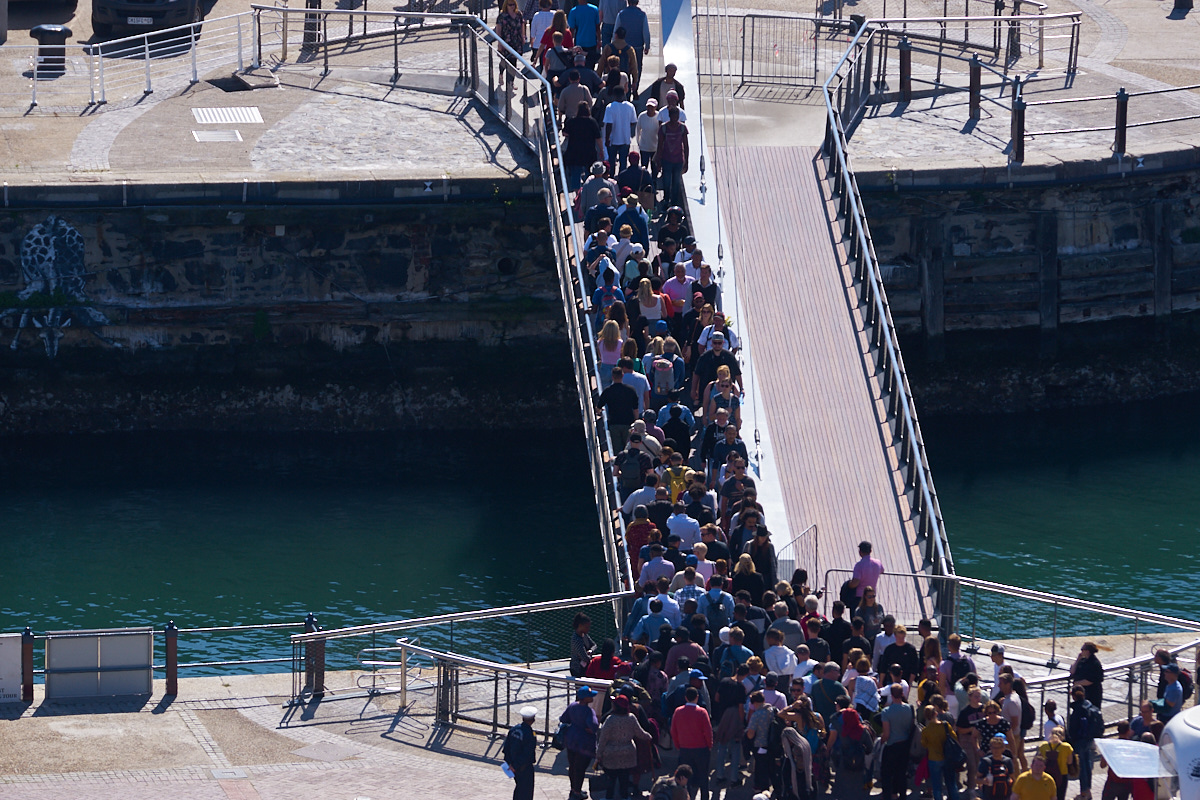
x=233, y=530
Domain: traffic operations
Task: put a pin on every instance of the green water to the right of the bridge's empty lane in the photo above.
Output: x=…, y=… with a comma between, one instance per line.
x=1102, y=504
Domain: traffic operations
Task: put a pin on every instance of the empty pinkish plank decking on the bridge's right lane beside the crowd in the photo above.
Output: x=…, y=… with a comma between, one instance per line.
x=821, y=407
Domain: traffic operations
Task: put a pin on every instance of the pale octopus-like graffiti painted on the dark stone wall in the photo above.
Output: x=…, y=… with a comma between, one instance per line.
x=55, y=272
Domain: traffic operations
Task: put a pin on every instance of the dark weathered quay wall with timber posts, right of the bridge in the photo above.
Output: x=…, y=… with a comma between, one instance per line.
x=961, y=262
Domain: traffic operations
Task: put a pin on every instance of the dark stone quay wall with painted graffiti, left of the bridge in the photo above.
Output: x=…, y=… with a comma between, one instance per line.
x=388, y=316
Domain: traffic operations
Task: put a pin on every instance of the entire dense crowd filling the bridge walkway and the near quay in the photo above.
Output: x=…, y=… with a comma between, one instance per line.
x=722, y=659
